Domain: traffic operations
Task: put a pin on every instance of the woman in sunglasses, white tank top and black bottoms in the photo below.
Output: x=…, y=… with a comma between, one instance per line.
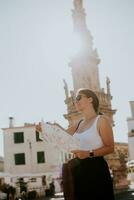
x=92, y=180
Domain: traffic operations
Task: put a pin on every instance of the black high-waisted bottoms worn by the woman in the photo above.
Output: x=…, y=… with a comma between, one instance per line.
x=92, y=180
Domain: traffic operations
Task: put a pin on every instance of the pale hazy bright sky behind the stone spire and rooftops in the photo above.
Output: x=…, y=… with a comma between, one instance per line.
x=35, y=49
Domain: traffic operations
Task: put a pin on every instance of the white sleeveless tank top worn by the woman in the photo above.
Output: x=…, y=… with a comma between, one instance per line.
x=90, y=138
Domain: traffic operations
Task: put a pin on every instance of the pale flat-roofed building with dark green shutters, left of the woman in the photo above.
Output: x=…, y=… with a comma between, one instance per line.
x=28, y=159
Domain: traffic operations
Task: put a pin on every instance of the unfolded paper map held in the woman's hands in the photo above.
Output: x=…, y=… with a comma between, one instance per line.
x=59, y=138
